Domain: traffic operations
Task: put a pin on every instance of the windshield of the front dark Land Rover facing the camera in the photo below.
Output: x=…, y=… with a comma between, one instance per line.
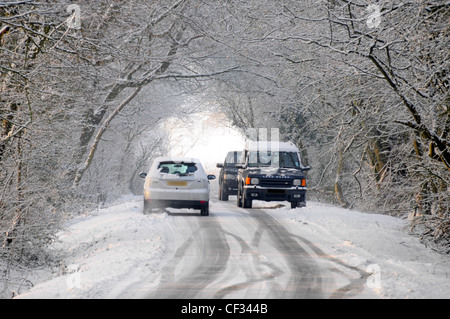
x=277, y=159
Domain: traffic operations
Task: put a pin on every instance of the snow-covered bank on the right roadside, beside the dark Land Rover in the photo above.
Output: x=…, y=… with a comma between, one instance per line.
x=379, y=244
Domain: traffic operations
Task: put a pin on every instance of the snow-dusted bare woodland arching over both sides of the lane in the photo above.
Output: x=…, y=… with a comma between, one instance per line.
x=360, y=86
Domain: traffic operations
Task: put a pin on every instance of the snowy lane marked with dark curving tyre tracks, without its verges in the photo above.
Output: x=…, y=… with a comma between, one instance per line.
x=249, y=253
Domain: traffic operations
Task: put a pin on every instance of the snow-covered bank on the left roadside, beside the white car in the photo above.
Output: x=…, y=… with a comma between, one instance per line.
x=114, y=247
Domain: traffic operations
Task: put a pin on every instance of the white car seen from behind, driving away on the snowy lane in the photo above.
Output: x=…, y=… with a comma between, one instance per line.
x=177, y=183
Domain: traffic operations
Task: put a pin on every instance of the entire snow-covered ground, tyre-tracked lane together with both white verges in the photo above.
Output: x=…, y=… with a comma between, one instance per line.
x=266, y=252
